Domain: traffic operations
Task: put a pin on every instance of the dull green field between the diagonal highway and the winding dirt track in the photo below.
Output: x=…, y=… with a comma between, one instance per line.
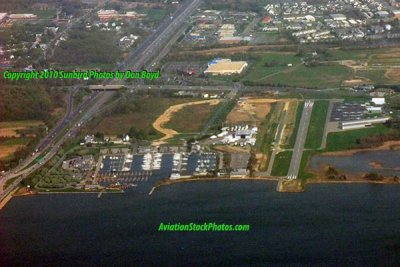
x=151, y=109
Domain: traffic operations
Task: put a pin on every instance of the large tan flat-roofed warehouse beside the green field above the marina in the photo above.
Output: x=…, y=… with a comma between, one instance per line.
x=225, y=67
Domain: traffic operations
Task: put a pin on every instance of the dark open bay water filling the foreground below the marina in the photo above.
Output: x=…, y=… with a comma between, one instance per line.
x=333, y=225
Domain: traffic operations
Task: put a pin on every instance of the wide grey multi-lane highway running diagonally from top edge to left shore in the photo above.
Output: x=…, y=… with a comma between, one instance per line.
x=89, y=108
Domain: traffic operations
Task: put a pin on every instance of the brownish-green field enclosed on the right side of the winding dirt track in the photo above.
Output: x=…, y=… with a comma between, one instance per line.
x=191, y=119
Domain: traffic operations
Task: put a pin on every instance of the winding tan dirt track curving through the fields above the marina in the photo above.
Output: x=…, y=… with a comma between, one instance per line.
x=167, y=115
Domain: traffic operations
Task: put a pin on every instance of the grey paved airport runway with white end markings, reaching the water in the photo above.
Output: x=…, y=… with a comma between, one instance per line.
x=300, y=140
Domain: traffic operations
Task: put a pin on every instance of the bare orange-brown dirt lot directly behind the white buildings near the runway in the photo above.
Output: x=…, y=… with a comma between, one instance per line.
x=250, y=110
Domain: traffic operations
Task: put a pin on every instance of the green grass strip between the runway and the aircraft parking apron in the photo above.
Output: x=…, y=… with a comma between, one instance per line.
x=317, y=124
